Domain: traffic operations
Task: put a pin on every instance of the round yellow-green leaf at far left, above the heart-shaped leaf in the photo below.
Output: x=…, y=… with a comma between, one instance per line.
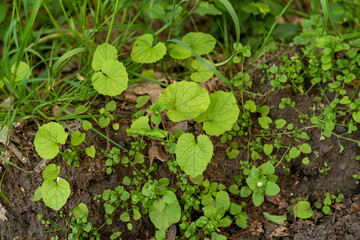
x=47, y=139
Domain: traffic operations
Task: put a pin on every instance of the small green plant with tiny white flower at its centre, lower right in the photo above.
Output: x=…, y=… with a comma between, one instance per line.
x=261, y=180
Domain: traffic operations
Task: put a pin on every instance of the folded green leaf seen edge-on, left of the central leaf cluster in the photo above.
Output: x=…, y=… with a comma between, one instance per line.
x=141, y=127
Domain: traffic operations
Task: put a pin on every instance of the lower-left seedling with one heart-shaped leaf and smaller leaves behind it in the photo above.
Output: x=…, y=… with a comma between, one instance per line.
x=54, y=191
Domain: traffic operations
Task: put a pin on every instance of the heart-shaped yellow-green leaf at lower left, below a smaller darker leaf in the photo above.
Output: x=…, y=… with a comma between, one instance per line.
x=54, y=194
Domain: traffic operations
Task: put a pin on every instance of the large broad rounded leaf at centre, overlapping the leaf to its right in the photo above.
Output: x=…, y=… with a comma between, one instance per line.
x=184, y=100
